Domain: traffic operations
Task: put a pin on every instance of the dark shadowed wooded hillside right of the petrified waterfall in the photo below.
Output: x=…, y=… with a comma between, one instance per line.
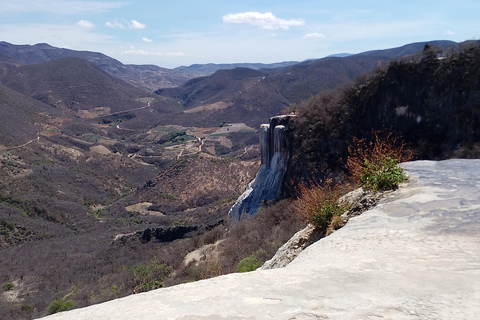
x=431, y=102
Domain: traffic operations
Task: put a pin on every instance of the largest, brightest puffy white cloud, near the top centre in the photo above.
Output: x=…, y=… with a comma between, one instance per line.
x=264, y=20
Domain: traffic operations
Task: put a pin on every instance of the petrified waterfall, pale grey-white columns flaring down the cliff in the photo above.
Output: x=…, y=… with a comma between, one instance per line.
x=267, y=185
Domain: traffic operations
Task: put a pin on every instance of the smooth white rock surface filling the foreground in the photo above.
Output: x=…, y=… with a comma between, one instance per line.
x=416, y=255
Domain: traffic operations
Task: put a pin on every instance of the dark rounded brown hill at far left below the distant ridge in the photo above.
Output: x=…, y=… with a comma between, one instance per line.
x=72, y=84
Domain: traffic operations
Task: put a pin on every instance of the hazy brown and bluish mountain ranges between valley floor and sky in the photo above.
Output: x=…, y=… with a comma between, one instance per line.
x=248, y=93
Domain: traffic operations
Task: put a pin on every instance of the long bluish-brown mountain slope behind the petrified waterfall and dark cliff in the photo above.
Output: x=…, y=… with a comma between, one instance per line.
x=252, y=96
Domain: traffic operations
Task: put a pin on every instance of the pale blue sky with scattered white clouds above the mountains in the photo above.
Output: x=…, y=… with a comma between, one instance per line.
x=183, y=32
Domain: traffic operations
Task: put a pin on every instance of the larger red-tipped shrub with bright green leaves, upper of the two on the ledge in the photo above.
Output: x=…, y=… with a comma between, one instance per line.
x=374, y=164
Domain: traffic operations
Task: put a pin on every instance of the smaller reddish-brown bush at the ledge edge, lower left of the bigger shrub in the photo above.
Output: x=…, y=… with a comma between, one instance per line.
x=319, y=204
